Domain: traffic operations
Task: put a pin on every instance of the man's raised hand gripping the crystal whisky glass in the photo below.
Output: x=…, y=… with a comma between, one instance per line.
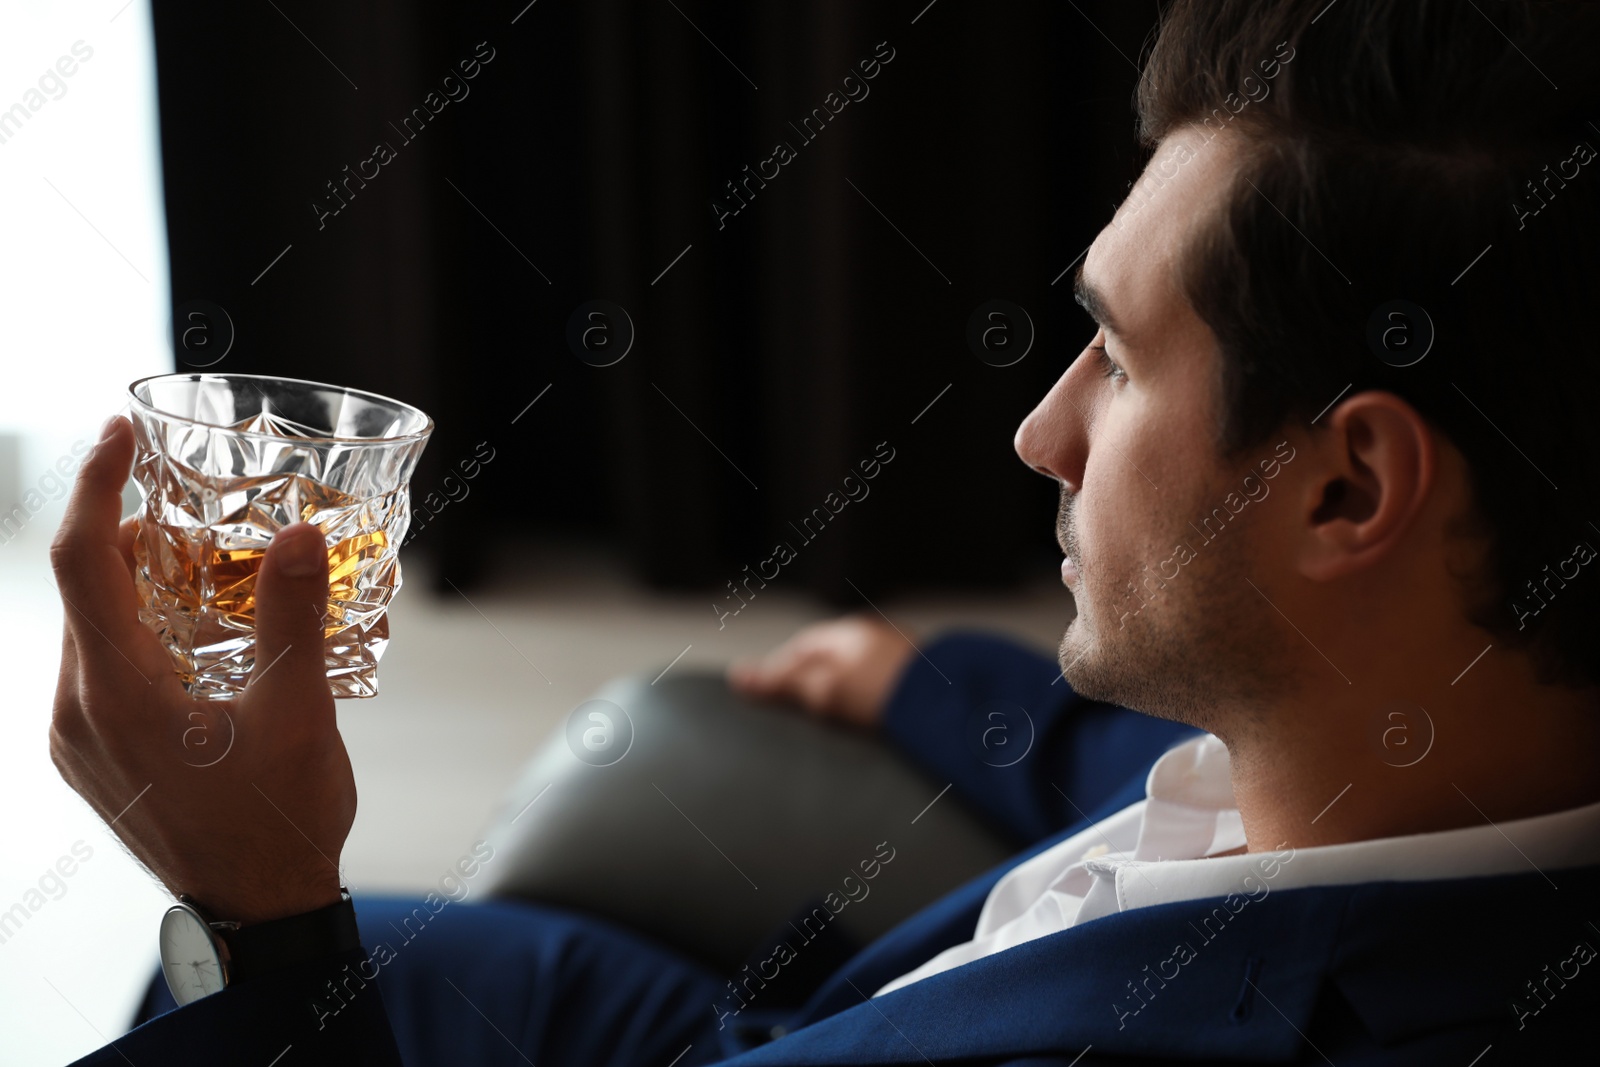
x=241, y=804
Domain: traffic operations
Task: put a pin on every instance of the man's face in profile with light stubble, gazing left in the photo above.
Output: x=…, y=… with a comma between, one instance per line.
x=1130, y=434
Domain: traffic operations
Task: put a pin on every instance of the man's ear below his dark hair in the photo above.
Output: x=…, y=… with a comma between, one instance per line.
x=1377, y=463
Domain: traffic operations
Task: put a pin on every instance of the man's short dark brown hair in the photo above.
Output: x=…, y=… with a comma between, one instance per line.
x=1417, y=151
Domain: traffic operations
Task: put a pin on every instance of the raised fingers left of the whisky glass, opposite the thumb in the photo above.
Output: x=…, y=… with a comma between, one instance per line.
x=87, y=554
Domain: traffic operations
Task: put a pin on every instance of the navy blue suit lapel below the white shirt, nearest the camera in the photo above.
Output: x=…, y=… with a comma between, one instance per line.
x=1146, y=983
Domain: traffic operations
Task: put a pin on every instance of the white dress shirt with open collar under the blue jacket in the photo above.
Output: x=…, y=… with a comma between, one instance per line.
x=1167, y=849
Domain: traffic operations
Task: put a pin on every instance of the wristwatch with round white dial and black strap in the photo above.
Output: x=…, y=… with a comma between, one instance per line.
x=202, y=956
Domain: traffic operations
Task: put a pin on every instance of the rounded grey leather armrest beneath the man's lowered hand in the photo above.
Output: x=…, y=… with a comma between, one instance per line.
x=721, y=818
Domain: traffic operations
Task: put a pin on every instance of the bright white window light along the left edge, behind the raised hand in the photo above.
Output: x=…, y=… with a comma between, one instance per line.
x=84, y=298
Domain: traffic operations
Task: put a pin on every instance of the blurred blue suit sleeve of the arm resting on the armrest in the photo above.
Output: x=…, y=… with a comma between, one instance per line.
x=998, y=722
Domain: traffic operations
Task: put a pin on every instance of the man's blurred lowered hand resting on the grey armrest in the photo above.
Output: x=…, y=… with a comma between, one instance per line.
x=842, y=669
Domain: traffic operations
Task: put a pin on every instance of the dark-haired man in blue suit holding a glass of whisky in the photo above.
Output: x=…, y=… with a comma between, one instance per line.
x=1361, y=570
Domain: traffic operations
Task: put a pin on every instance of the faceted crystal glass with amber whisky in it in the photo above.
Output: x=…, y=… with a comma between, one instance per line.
x=223, y=463
